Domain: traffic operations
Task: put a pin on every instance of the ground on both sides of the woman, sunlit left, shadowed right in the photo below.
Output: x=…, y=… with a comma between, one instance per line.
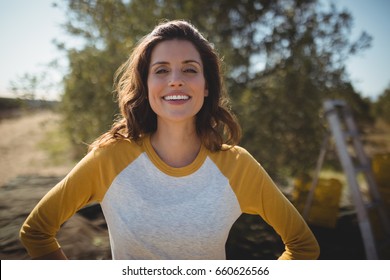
x=27, y=172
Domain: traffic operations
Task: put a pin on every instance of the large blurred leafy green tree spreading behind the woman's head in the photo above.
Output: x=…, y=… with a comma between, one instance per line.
x=282, y=59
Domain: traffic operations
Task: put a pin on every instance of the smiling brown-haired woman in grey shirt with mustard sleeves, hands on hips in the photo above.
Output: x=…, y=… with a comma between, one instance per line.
x=169, y=176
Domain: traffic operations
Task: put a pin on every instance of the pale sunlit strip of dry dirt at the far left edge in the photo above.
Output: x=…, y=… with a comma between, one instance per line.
x=20, y=153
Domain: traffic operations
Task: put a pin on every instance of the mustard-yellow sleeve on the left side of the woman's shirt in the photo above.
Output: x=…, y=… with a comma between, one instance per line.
x=86, y=183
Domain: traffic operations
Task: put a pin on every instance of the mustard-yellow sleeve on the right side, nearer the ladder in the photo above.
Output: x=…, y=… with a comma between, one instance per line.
x=257, y=194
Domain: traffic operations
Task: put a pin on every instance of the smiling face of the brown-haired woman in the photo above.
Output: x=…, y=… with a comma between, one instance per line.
x=176, y=82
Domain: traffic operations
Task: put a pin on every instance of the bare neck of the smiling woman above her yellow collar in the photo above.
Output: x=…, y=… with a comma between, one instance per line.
x=177, y=145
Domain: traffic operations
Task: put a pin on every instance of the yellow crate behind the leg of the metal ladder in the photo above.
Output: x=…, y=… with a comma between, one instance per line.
x=324, y=209
